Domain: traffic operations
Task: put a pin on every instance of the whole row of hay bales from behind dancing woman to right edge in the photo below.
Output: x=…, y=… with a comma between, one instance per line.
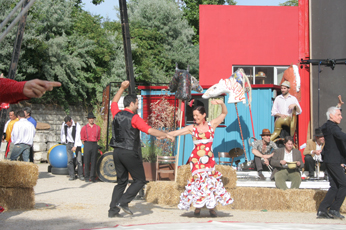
x=245, y=198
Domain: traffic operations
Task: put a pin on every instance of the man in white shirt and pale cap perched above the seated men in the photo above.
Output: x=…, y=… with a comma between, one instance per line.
x=282, y=108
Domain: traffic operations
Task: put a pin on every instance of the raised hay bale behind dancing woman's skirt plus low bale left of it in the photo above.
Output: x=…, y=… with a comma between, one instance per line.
x=168, y=192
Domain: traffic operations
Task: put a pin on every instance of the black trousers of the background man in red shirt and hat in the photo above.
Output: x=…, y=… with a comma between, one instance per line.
x=90, y=155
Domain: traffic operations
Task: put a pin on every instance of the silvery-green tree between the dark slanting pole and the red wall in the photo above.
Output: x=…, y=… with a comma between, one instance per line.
x=162, y=37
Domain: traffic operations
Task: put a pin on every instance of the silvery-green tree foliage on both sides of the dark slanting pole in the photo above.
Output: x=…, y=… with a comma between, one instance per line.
x=84, y=52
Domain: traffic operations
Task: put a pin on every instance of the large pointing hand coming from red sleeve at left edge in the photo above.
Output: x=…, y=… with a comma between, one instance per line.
x=36, y=88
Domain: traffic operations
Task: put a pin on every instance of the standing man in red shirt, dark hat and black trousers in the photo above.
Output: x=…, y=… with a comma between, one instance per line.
x=90, y=135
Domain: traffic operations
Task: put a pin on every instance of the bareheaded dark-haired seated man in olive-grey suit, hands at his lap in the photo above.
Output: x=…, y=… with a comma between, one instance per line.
x=281, y=172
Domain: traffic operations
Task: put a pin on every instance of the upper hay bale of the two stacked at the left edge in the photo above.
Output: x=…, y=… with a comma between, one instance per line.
x=18, y=174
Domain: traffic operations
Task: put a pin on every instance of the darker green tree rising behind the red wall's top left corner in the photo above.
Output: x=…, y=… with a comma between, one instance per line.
x=191, y=13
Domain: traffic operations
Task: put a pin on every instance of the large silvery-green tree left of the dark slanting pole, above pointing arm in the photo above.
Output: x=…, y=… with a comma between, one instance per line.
x=66, y=44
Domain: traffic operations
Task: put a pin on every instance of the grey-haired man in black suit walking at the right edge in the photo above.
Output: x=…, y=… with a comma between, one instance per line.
x=334, y=157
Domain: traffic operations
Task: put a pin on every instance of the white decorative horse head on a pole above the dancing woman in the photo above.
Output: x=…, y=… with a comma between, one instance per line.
x=232, y=86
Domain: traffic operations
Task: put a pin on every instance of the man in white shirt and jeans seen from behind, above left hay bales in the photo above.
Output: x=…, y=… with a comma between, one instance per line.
x=22, y=137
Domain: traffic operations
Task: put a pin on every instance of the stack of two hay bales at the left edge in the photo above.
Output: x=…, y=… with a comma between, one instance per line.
x=17, y=181
